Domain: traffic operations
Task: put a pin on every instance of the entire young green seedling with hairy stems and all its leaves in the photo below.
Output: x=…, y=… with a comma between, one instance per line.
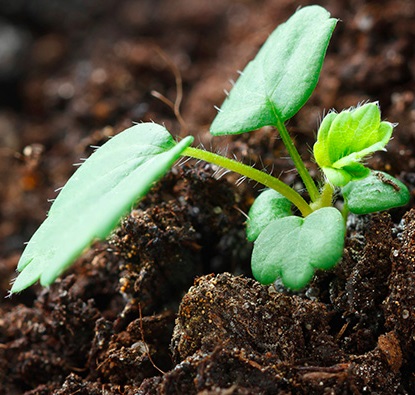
x=270, y=91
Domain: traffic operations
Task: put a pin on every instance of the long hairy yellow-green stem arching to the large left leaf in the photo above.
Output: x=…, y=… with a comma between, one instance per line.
x=254, y=174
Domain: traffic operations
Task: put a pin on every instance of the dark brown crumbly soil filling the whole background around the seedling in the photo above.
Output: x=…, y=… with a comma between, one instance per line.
x=167, y=305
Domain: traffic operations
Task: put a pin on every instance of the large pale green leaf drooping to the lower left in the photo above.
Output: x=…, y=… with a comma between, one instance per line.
x=95, y=198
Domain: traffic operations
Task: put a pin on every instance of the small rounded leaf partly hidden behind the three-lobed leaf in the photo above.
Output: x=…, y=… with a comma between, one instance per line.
x=268, y=206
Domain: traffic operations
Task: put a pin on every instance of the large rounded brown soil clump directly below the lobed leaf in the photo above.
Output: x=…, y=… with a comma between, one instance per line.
x=245, y=313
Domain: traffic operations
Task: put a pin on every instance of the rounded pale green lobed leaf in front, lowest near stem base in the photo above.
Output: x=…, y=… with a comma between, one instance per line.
x=292, y=248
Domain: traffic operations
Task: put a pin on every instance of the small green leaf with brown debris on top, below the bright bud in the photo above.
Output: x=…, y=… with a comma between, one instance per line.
x=377, y=192
